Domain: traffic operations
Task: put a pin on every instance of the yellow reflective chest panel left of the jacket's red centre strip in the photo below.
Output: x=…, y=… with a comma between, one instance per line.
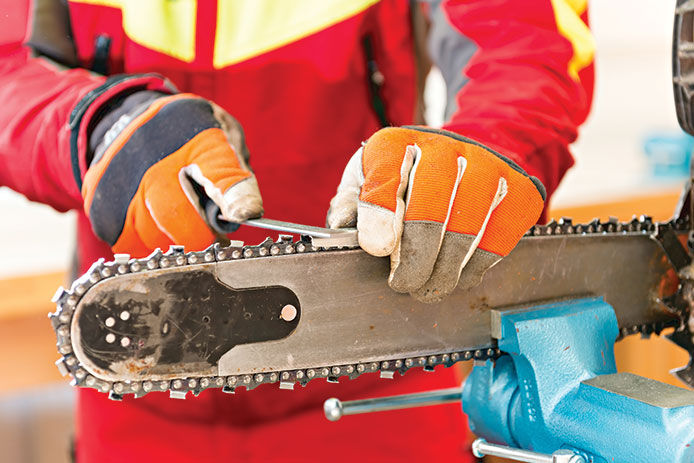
x=165, y=26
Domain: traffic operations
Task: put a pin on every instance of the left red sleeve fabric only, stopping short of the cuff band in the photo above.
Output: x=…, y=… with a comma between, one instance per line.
x=37, y=98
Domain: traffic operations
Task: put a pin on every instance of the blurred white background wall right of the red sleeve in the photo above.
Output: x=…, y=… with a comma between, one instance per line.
x=633, y=96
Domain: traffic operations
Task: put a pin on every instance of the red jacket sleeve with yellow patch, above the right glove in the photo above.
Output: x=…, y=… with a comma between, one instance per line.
x=529, y=83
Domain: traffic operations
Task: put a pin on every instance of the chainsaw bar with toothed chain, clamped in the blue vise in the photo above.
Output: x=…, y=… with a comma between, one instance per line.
x=293, y=310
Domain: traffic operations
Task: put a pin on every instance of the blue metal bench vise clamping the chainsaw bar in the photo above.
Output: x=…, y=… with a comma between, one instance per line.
x=557, y=387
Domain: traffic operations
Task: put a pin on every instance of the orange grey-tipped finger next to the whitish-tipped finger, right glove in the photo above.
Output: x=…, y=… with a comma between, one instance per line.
x=426, y=218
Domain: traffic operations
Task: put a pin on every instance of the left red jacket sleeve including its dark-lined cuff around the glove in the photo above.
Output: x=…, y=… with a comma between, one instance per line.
x=46, y=113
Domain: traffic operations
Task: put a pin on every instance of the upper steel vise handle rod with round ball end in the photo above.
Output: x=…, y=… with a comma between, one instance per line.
x=335, y=409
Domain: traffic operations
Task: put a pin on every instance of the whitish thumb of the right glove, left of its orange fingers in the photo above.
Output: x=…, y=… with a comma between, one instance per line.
x=343, y=207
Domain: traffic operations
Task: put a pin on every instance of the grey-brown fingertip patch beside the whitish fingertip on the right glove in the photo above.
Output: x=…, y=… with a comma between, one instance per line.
x=418, y=249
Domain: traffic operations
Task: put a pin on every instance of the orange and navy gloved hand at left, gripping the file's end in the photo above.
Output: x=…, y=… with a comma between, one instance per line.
x=155, y=156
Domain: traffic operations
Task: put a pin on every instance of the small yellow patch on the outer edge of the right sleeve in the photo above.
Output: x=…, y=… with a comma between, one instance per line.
x=567, y=14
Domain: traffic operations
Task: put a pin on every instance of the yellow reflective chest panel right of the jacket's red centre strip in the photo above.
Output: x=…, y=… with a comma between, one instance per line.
x=252, y=27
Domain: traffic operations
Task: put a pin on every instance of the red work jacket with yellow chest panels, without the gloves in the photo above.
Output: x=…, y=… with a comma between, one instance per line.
x=308, y=86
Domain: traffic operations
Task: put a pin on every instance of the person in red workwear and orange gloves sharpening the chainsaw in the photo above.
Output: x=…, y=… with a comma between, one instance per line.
x=306, y=82
